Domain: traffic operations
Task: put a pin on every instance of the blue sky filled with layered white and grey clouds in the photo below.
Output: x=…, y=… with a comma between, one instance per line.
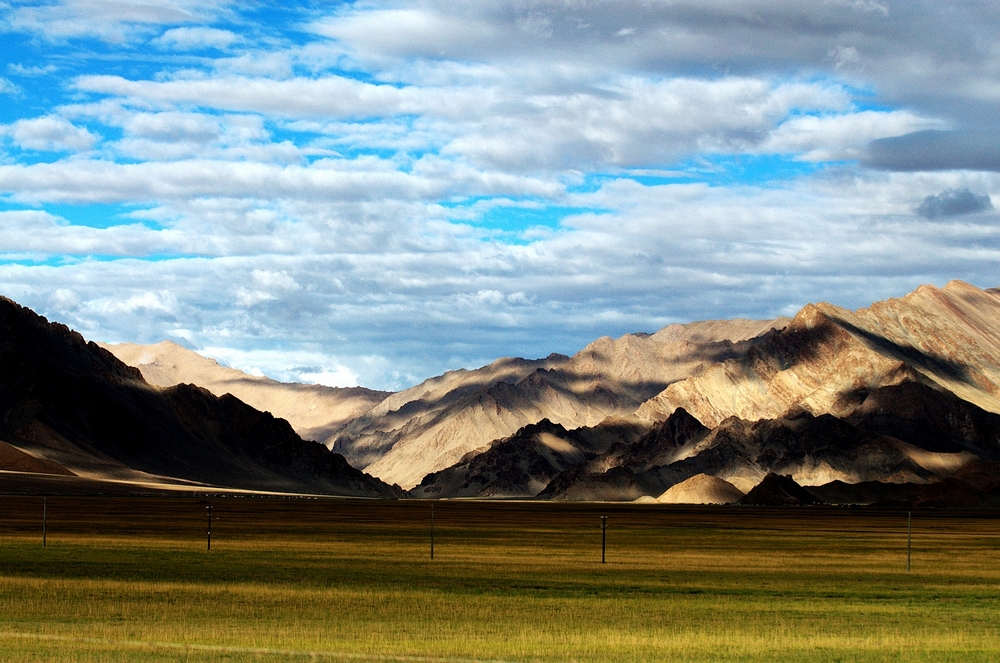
x=372, y=193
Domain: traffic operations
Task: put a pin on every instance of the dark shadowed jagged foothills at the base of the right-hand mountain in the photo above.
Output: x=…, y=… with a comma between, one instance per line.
x=936, y=436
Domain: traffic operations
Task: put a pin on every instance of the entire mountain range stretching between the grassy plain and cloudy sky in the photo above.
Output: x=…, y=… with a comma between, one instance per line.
x=895, y=403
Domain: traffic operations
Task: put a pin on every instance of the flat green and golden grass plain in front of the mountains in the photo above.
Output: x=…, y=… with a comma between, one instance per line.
x=290, y=579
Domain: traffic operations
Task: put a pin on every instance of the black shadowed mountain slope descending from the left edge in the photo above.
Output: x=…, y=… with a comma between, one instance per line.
x=70, y=407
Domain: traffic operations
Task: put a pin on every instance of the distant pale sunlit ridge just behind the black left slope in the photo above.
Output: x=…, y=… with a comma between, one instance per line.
x=314, y=411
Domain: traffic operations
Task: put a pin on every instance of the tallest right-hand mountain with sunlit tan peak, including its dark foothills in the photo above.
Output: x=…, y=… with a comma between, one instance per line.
x=904, y=392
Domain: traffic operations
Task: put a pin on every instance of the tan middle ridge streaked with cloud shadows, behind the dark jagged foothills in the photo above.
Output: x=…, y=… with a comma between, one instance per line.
x=435, y=424
